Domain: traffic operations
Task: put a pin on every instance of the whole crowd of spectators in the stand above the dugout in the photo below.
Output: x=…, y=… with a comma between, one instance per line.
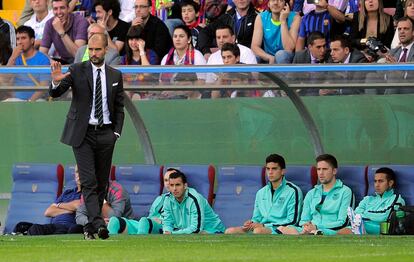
x=193, y=32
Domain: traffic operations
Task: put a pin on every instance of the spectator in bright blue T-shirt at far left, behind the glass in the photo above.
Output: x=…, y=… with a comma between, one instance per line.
x=25, y=54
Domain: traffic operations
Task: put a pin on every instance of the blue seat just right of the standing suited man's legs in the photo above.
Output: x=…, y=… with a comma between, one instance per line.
x=143, y=183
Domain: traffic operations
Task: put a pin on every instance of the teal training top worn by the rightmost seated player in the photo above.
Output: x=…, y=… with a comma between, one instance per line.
x=377, y=208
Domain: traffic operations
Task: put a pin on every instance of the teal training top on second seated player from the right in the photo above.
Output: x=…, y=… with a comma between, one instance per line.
x=332, y=212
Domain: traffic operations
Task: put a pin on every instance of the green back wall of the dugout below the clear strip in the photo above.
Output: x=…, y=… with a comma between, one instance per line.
x=357, y=129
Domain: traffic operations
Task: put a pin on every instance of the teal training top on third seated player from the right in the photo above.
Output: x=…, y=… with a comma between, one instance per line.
x=280, y=210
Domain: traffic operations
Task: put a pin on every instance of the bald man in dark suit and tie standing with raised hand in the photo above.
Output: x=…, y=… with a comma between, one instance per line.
x=94, y=123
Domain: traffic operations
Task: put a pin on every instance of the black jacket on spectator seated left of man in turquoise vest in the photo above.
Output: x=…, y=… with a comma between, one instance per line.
x=207, y=36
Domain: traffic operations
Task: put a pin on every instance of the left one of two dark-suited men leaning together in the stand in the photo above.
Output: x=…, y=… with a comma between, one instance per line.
x=316, y=53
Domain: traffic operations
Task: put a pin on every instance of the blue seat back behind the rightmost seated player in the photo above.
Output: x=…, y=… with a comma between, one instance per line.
x=405, y=181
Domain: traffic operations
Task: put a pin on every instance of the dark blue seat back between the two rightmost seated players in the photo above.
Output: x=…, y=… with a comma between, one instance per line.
x=354, y=177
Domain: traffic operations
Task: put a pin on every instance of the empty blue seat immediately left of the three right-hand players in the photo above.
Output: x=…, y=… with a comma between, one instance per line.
x=236, y=193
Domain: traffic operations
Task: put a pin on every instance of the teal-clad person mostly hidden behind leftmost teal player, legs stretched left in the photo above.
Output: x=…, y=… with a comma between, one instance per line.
x=152, y=224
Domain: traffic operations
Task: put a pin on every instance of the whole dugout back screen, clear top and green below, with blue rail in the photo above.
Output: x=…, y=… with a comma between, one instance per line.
x=363, y=114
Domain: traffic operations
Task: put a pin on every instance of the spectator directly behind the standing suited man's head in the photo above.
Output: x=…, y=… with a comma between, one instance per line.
x=82, y=54
